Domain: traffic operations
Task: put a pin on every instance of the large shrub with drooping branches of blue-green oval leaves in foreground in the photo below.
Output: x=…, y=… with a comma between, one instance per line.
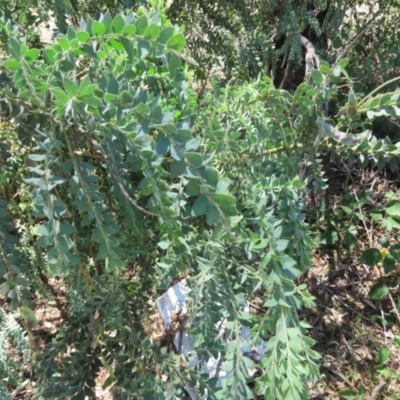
x=130, y=182
